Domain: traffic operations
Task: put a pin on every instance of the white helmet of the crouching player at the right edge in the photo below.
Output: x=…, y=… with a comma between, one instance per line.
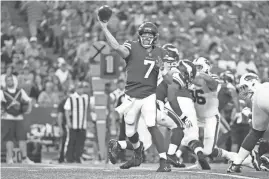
x=247, y=85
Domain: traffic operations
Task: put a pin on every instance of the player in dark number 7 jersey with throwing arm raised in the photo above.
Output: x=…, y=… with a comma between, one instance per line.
x=143, y=61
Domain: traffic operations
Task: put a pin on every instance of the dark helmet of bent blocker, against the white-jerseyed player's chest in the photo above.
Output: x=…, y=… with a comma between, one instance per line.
x=188, y=70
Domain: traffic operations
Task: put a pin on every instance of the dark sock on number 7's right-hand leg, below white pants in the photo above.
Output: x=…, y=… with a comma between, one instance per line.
x=157, y=139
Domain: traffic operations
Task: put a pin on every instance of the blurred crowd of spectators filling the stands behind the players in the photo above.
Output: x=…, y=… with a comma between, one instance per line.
x=52, y=51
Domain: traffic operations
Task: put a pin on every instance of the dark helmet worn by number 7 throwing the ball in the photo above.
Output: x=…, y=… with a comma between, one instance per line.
x=148, y=28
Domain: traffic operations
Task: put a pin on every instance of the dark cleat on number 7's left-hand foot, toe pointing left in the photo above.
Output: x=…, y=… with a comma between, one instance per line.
x=137, y=158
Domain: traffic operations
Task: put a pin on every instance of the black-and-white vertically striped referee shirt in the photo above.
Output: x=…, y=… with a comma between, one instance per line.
x=78, y=106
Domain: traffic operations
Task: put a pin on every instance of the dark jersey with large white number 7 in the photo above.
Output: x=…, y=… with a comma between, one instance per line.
x=142, y=70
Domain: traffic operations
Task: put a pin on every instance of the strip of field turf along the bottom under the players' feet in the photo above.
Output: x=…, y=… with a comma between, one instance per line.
x=147, y=171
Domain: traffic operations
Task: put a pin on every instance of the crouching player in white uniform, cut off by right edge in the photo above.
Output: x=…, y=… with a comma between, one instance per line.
x=251, y=88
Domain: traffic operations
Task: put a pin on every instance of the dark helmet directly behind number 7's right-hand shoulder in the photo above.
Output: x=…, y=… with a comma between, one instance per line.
x=172, y=58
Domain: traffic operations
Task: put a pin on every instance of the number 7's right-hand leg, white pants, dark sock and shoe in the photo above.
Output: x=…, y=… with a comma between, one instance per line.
x=149, y=113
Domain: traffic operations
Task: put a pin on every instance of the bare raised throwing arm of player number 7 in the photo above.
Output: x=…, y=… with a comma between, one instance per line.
x=122, y=50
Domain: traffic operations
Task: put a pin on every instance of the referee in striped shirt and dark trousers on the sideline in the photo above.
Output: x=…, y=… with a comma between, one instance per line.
x=76, y=109
